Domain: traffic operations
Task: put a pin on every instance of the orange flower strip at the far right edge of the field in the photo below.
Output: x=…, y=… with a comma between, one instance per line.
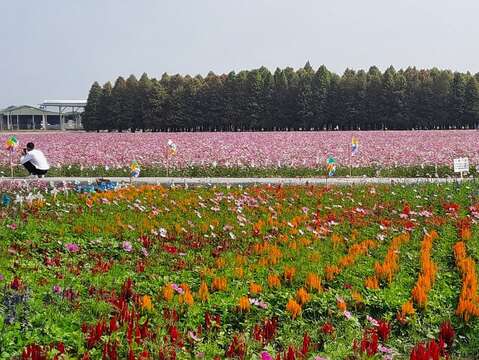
x=468, y=299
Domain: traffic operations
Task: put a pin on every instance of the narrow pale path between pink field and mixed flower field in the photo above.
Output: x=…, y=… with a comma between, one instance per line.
x=247, y=181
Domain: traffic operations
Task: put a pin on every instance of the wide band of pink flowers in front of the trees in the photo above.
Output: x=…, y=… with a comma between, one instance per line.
x=256, y=149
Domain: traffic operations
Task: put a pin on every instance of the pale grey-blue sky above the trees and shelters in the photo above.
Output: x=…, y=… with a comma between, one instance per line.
x=55, y=49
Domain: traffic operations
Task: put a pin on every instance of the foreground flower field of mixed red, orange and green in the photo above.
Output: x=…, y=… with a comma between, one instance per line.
x=240, y=273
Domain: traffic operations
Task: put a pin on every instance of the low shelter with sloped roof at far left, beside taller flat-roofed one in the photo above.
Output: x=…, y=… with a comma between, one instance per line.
x=26, y=117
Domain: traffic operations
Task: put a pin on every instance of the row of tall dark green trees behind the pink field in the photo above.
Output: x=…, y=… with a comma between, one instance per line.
x=287, y=100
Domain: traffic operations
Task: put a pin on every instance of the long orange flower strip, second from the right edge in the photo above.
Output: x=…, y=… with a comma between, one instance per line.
x=428, y=271
